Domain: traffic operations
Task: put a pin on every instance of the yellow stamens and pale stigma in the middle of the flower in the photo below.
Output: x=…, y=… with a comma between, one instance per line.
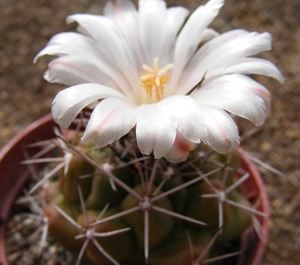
x=154, y=80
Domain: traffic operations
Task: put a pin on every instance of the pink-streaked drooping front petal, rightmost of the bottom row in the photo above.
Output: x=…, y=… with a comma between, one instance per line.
x=222, y=130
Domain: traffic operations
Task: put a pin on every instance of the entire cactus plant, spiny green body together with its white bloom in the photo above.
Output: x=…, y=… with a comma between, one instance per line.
x=156, y=178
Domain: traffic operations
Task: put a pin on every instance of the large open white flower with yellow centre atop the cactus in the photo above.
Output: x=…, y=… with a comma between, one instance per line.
x=140, y=67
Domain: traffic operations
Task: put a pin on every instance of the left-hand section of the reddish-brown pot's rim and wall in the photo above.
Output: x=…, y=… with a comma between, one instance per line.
x=13, y=174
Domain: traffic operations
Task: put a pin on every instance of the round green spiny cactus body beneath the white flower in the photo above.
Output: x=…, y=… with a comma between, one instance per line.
x=114, y=205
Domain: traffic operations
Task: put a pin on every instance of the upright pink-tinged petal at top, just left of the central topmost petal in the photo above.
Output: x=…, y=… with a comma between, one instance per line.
x=124, y=14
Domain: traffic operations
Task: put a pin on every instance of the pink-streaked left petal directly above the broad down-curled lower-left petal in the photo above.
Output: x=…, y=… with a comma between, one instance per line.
x=72, y=71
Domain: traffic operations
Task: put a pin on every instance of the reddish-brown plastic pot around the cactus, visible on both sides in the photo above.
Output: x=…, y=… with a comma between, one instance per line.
x=13, y=176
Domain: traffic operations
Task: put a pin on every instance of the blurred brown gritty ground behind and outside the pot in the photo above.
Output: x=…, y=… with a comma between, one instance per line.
x=27, y=26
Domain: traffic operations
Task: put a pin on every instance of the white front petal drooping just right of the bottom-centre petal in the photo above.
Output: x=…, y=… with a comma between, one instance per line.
x=185, y=115
